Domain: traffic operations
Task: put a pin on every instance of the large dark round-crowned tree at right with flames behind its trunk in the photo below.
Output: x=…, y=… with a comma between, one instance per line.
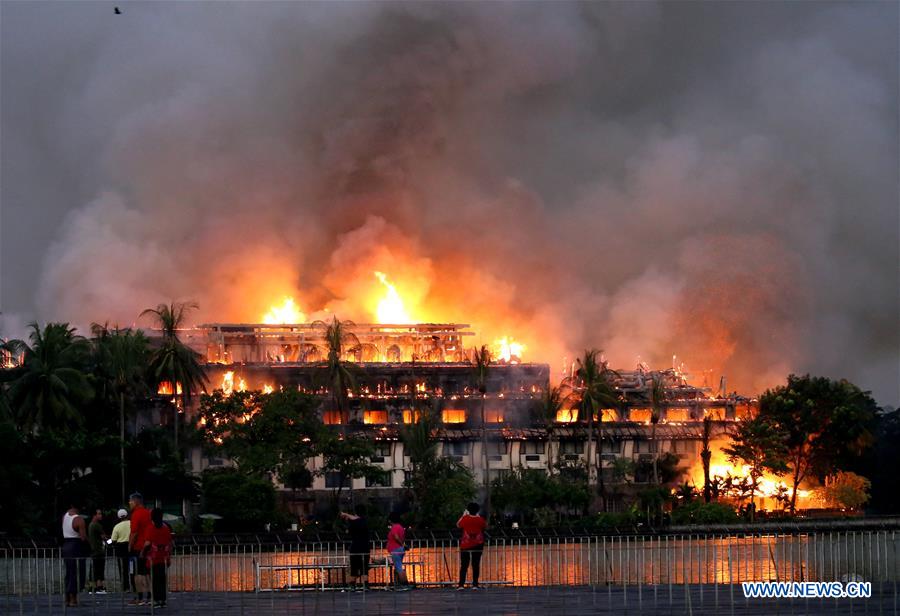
x=827, y=425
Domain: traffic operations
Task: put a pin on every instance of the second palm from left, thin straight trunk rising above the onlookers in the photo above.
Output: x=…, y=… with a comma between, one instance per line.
x=122, y=356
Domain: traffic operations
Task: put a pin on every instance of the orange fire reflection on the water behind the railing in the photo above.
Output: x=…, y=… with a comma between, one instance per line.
x=597, y=560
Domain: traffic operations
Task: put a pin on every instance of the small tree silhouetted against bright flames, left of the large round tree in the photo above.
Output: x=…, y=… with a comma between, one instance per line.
x=758, y=444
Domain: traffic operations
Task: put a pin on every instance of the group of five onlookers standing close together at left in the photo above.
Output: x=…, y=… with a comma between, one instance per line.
x=142, y=545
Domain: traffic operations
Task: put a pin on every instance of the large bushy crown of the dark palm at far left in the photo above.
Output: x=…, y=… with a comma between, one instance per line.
x=51, y=385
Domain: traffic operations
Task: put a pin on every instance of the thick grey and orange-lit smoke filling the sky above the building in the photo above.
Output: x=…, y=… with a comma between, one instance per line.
x=716, y=181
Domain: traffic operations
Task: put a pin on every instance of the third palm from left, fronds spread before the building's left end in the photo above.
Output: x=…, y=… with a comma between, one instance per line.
x=173, y=361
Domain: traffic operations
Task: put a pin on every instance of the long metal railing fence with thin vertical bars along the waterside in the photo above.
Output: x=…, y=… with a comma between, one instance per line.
x=660, y=561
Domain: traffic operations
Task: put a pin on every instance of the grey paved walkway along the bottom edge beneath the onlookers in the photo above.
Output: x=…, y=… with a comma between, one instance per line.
x=553, y=601
